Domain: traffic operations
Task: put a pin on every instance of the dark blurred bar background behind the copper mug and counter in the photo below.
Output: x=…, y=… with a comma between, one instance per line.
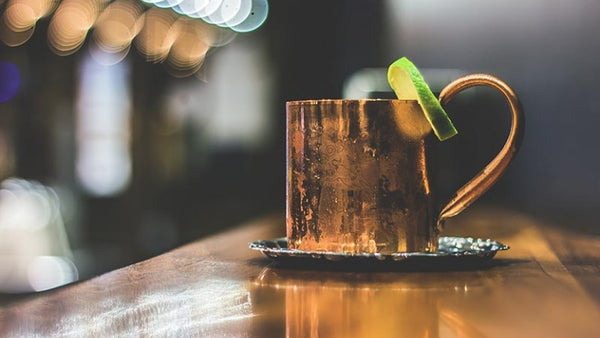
x=172, y=158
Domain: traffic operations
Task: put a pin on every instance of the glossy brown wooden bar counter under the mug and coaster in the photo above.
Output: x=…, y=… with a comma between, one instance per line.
x=546, y=285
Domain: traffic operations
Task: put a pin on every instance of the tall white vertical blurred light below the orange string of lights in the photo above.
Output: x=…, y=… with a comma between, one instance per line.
x=103, y=161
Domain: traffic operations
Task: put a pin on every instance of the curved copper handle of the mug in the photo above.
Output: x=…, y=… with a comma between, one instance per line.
x=479, y=184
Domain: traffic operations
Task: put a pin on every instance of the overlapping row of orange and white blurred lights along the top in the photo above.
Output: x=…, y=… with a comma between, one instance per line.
x=177, y=32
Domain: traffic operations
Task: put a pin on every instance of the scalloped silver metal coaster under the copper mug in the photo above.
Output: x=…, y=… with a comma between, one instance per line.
x=452, y=253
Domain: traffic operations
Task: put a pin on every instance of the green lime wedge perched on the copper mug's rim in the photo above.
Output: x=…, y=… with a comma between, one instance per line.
x=408, y=84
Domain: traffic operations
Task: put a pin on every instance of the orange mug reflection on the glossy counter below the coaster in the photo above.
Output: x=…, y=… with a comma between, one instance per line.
x=346, y=304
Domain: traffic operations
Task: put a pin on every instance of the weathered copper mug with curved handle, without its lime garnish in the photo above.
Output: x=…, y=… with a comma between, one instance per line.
x=357, y=173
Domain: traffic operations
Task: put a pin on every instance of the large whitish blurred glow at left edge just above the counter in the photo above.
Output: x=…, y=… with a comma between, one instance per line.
x=35, y=253
